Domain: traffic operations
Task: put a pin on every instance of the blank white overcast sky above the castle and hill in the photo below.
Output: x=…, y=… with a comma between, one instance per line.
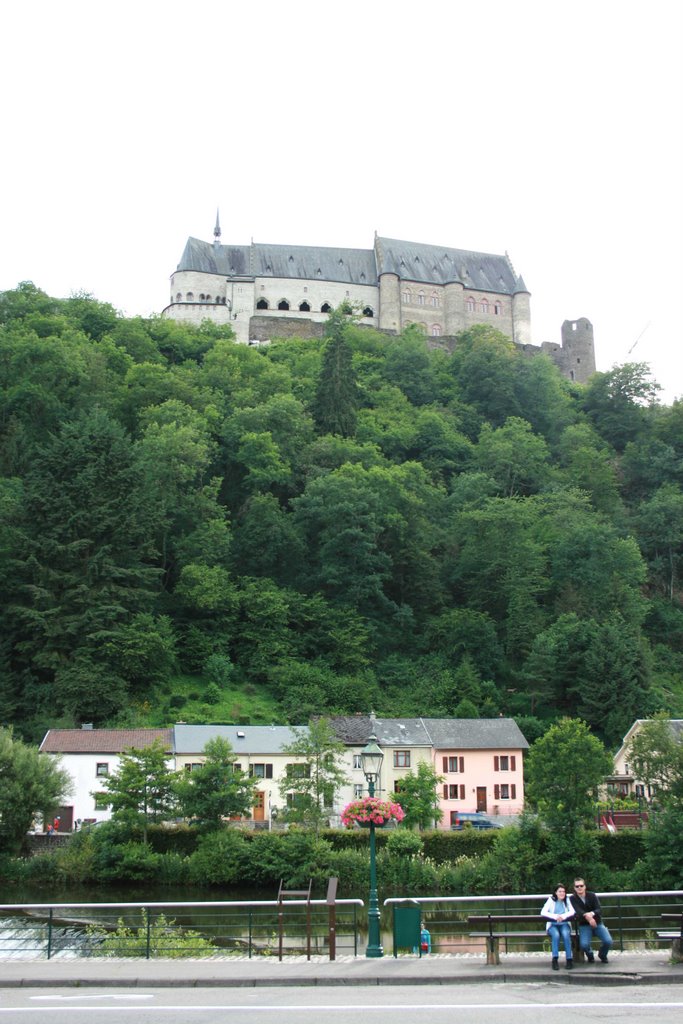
x=551, y=132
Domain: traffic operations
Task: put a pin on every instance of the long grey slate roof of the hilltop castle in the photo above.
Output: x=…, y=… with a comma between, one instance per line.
x=412, y=262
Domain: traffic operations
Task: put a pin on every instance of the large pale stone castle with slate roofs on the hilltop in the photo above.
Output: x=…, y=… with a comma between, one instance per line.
x=271, y=291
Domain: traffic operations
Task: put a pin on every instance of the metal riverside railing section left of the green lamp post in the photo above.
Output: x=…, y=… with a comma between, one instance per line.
x=211, y=929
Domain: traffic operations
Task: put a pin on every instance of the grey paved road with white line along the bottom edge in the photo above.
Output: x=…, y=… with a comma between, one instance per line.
x=513, y=1004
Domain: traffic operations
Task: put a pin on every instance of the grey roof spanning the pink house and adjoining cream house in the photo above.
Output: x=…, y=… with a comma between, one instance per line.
x=443, y=734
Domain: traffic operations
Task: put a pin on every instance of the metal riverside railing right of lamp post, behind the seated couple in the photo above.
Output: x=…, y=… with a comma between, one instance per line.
x=633, y=919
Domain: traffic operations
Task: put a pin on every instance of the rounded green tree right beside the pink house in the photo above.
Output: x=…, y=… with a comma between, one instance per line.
x=564, y=772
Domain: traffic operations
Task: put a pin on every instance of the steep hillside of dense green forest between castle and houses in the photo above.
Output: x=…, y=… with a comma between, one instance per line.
x=337, y=526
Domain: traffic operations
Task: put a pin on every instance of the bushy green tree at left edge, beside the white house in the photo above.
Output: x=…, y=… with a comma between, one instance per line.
x=31, y=784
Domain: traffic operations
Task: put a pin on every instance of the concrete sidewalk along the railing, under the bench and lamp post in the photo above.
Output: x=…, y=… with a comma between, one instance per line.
x=231, y=972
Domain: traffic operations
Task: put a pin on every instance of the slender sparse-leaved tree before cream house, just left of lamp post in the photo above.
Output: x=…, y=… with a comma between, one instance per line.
x=311, y=785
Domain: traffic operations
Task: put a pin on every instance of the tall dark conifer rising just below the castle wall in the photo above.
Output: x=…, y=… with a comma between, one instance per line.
x=336, y=398
